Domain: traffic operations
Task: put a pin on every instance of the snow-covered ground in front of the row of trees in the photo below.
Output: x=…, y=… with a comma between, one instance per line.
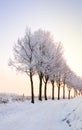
x=46, y=115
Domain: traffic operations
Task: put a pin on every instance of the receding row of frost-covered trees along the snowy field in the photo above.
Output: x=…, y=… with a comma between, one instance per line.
x=38, y=53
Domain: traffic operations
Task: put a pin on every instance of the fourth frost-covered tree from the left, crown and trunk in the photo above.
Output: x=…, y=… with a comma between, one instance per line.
x=53, y=65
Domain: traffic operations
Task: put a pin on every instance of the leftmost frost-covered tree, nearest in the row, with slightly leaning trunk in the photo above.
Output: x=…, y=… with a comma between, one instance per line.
x=23, y=58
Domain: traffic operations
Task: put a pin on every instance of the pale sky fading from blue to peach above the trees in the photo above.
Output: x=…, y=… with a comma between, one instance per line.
x=63, y=18
